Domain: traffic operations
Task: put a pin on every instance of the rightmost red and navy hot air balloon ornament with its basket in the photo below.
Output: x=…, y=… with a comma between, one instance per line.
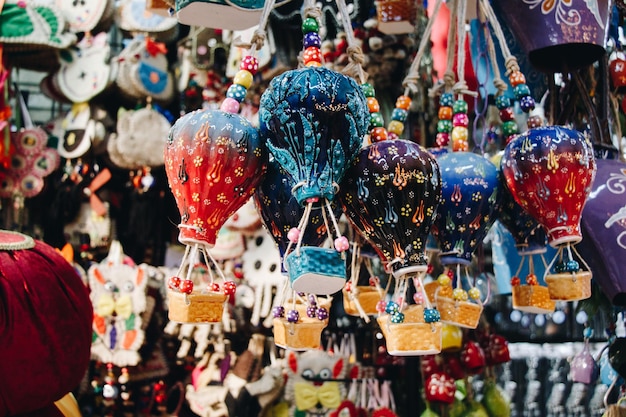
x=550, y=172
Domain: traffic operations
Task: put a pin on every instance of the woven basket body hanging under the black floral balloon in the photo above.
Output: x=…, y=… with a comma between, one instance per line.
x=413, y=337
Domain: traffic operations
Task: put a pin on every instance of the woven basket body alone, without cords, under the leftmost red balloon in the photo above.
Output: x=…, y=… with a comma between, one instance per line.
x=195, y=307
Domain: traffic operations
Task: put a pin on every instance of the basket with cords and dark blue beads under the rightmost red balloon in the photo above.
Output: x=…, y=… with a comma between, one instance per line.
x=565, y=279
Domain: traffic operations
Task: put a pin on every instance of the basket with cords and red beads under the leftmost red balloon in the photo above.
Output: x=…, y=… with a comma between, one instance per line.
x=196, y=300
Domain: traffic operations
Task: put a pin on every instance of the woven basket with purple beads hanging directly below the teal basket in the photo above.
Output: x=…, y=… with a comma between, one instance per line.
x=305, y=334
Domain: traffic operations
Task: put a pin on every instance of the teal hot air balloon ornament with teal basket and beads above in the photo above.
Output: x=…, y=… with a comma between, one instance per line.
x=313, y=120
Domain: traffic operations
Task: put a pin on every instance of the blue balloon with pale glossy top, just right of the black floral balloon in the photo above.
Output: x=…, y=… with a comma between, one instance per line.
x=468, y=207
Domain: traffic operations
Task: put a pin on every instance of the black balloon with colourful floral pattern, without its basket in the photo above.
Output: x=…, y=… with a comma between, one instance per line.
x=390, y=195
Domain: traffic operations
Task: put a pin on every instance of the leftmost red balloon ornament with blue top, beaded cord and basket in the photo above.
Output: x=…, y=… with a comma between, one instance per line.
x=213, y=161
